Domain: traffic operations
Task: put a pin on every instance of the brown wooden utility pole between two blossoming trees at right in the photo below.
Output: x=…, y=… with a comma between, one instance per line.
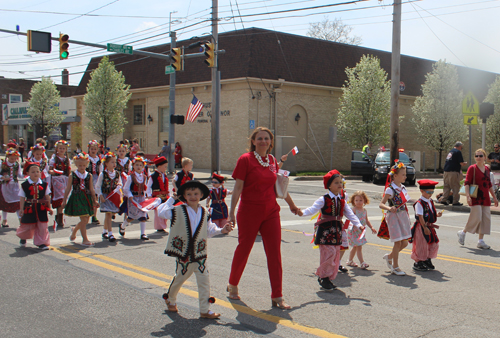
x=395, y=77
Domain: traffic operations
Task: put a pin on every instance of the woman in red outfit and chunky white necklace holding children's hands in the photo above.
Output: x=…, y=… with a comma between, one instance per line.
x=255, y=176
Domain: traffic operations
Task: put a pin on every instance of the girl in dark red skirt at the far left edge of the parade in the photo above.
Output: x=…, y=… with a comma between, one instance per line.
x=10, y=173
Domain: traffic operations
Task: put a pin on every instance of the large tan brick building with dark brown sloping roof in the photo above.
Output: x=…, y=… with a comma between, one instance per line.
x=286, y=82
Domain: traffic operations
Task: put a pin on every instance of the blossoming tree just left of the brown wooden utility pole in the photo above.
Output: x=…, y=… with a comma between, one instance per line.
x=365, y=104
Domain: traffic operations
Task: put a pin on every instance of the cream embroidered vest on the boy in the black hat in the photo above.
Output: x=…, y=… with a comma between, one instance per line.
x=181, y=243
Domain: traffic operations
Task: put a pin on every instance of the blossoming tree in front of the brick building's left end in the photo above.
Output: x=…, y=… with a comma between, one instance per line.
x=106, y=98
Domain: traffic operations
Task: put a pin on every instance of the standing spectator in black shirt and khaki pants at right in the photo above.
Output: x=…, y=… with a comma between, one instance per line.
x=453, y=174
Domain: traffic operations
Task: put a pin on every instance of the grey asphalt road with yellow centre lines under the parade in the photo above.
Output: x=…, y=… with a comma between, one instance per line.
x=114, y=289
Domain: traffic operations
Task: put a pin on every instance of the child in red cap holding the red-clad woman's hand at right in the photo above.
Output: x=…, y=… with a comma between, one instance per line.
x=328, y=234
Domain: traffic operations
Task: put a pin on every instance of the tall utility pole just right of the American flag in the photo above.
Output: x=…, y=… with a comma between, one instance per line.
x=215, y=92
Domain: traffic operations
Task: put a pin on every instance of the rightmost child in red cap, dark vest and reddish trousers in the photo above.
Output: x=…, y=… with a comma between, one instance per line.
x=424, y=237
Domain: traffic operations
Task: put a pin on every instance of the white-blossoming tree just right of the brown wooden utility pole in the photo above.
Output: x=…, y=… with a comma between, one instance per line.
x=438, y=119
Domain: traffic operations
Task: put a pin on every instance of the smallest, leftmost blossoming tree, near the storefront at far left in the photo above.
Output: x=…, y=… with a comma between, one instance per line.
x=44, y=107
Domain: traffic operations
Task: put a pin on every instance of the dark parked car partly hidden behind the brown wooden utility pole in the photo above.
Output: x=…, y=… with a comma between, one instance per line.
x=363, y=165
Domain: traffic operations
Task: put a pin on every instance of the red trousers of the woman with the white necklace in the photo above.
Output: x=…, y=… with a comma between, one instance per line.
x=252, y=218
